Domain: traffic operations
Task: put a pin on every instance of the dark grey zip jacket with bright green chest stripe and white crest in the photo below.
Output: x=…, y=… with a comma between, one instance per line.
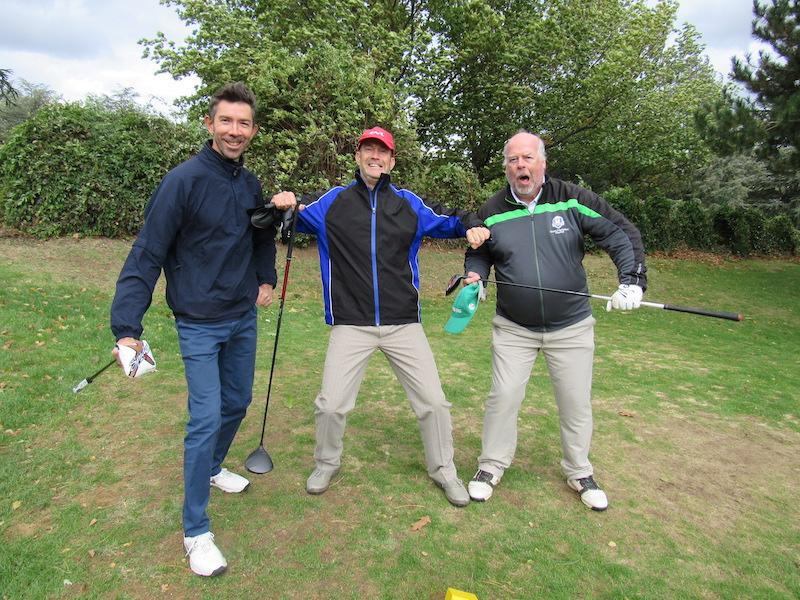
x=546, y=248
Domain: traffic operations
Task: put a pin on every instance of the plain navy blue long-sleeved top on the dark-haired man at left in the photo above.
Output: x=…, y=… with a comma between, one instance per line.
x=197, y=229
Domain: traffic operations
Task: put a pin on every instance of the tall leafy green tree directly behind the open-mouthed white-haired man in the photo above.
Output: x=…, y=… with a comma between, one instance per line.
x=596, y=78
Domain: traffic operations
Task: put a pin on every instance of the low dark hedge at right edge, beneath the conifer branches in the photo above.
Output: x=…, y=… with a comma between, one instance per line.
x=742, y=230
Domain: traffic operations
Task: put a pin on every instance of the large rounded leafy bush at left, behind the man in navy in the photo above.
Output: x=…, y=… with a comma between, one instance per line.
x=86, y=169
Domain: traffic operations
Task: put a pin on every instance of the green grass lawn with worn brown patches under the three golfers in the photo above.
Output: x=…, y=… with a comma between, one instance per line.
x=697, y=434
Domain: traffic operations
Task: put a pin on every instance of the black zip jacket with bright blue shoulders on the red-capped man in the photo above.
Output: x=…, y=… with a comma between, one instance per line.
x=368, y=242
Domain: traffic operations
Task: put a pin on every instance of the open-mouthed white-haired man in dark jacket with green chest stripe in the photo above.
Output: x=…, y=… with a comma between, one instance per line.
x=538, y=225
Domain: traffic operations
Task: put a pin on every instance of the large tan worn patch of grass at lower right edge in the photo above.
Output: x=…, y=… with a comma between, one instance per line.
x=709, y=472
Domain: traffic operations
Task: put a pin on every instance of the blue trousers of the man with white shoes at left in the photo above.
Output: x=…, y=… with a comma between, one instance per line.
x=219, y=360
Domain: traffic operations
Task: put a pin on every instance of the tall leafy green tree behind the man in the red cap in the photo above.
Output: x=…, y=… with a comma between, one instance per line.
x=321, y=76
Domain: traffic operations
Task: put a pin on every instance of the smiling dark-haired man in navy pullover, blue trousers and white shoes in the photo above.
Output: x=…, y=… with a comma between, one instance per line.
x=218, y=268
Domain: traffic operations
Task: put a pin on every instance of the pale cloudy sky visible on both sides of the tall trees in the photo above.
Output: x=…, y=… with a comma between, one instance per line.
x=80, y=47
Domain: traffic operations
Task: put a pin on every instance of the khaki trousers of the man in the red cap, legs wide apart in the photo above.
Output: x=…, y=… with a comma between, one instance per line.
x=410, y=356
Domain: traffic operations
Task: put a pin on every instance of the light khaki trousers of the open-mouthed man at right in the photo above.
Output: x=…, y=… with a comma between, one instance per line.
x=569, y=353
